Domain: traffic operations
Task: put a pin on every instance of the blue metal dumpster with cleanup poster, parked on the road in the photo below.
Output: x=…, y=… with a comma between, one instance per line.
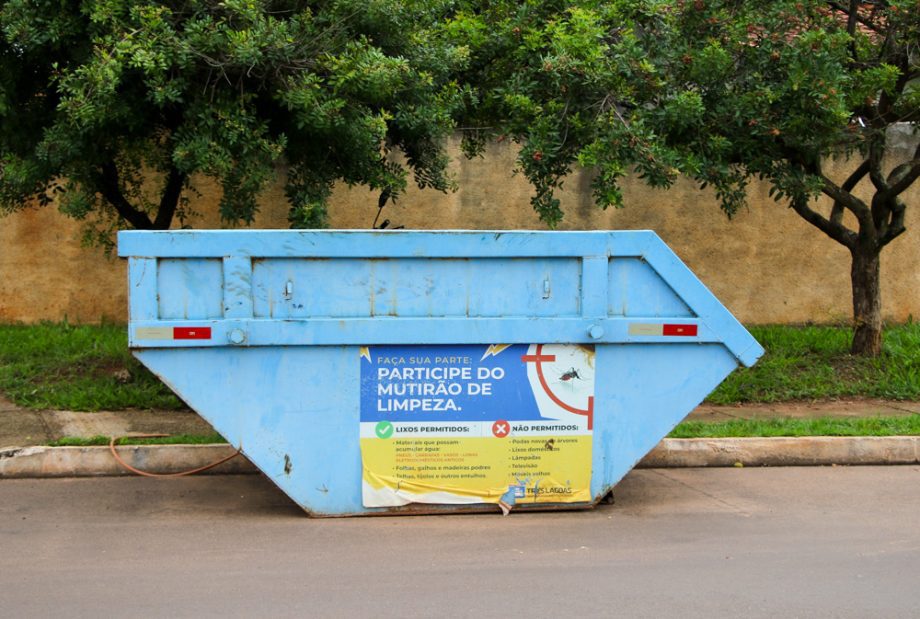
x=407, y=372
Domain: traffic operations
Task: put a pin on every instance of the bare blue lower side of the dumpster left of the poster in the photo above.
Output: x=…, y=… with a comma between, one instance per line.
x=295, y=415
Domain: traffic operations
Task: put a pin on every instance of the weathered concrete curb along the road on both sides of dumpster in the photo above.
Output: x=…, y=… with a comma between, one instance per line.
x=40, y=462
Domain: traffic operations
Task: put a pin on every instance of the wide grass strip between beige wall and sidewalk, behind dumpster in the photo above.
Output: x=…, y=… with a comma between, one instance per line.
x=89, y=368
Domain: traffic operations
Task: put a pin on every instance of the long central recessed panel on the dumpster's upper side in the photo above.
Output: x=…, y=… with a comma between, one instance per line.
x=348, y=288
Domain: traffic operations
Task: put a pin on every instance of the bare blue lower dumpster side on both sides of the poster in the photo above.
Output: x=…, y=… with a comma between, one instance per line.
x=296, y=416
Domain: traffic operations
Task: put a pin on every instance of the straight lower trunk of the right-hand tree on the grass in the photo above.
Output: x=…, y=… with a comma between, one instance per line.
x=867, y=302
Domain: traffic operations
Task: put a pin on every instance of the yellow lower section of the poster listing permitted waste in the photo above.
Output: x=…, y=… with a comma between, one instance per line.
x=542, y=469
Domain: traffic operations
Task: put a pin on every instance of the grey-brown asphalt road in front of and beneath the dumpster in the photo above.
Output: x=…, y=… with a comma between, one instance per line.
x=790, y=542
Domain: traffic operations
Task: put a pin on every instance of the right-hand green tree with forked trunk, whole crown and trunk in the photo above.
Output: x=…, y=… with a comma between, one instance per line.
x=721, y=91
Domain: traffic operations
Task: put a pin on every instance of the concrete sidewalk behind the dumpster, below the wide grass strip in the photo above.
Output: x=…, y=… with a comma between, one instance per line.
x=27, y=428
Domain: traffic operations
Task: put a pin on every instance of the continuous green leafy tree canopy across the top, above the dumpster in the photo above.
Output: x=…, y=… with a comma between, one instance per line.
x=96, y=95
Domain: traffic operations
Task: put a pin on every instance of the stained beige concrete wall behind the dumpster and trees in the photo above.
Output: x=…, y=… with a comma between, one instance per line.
x=767, y=265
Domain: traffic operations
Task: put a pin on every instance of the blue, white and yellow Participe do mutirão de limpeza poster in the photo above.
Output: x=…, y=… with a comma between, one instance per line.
x=503, y=424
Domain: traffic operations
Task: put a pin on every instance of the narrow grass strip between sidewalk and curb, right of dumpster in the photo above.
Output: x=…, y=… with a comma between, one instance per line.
x=908, y=425
